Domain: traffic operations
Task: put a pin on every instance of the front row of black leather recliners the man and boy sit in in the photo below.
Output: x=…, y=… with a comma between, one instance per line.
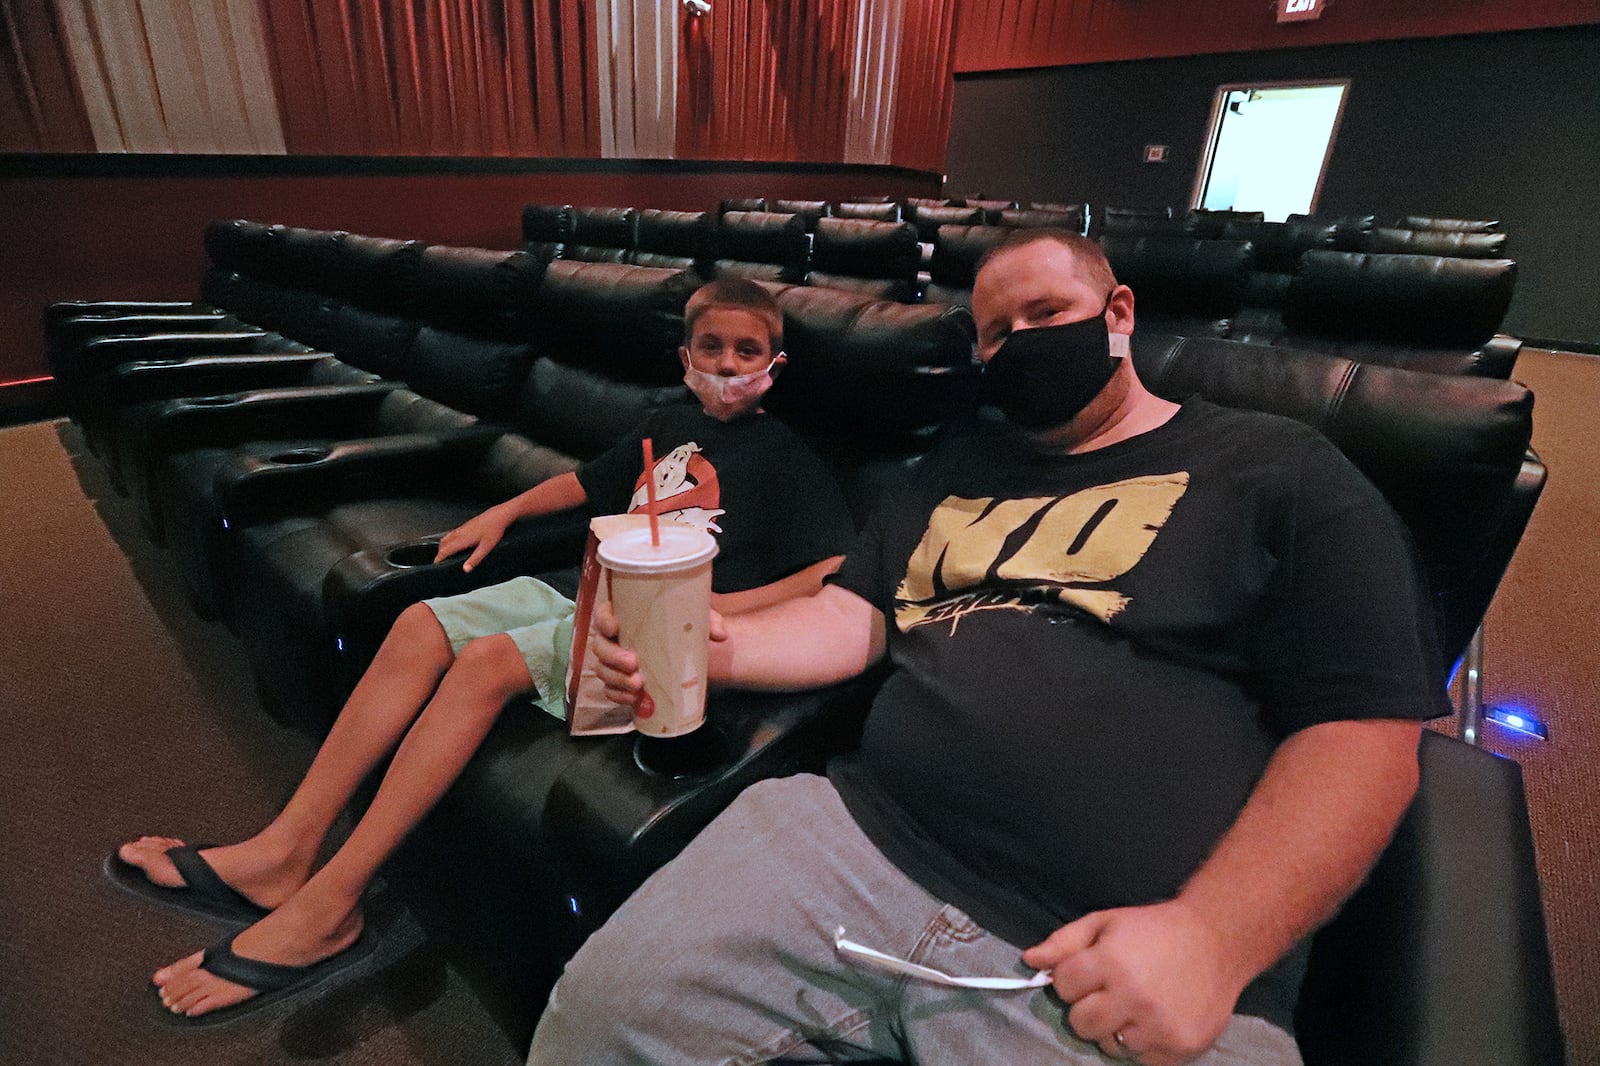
x=303, y=433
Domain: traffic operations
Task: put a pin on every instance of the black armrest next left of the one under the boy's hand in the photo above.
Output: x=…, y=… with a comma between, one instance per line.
x=255, y=489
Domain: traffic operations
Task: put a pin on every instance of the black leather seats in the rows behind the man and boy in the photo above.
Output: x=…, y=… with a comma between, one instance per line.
x=1294, y=284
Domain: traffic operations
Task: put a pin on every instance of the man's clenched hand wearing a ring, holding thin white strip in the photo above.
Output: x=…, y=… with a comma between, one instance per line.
x=1158, y=976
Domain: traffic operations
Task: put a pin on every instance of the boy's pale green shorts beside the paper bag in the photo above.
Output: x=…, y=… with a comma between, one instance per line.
x=532, y=614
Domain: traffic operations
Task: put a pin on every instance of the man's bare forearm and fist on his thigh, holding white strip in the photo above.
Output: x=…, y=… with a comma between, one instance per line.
x=1167, y=976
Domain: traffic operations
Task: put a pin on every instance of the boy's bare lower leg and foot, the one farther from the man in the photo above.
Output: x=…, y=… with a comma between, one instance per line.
x=270, y=867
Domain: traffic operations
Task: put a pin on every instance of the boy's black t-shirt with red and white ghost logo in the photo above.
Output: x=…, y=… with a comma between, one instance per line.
x=753, y=484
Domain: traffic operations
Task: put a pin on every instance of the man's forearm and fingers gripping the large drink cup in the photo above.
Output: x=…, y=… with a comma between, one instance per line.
x=798, y=644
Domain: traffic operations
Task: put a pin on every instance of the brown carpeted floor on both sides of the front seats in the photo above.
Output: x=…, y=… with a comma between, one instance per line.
x=122, y=713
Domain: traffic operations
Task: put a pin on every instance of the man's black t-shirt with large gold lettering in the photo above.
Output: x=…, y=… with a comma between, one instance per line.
x=1097, y=655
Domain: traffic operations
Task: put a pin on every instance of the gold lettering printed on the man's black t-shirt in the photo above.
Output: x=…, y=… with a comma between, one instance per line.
x=1057, y=543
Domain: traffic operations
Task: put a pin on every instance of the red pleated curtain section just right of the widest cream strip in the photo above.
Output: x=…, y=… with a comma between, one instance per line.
x=434, y=78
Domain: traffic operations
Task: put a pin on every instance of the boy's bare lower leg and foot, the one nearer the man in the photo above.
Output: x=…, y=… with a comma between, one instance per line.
x=324, y=916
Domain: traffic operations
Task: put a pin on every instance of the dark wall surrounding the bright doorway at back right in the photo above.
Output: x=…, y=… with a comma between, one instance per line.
x=1490, y=126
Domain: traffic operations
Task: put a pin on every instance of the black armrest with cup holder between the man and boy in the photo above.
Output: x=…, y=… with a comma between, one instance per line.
x=614, y=824
